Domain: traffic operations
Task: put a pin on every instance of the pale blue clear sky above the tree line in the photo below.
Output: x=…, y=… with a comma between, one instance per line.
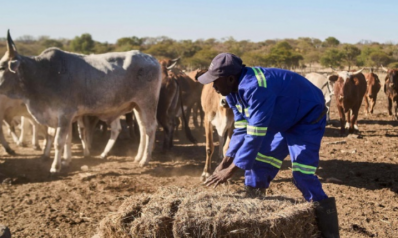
x=350, y=21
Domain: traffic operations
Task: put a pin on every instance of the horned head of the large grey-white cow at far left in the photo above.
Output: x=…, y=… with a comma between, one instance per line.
x=9, y=67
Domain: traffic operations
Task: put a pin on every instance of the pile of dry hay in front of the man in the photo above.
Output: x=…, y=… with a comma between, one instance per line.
x=177, y=212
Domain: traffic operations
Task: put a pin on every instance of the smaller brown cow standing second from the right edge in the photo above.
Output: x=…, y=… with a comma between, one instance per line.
x=373, y=87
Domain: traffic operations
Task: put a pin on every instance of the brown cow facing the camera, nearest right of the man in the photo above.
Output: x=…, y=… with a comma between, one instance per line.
x=349, y=90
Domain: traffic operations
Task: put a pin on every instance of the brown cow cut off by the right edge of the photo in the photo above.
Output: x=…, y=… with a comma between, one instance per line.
x=391, y=90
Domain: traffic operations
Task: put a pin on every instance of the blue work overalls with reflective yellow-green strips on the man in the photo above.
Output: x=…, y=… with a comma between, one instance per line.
x=277, y=112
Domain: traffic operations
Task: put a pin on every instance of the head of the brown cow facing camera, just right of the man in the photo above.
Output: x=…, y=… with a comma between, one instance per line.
x=344, y=82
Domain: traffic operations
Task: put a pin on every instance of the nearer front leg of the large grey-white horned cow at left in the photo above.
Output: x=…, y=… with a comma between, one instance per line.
x=59, y=142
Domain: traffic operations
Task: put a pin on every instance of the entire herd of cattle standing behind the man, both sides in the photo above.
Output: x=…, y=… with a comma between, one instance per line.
x=56, y=88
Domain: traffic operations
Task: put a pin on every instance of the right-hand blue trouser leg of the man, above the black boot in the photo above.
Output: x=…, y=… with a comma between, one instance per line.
x=304, y=141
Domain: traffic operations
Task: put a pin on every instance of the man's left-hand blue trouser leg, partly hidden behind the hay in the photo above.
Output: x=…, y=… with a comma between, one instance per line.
x=267, y=164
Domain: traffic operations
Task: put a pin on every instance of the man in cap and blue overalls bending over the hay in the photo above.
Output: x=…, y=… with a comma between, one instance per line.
x=277, y=112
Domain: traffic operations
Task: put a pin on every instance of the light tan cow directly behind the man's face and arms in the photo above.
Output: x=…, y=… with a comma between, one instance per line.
x=220, y=116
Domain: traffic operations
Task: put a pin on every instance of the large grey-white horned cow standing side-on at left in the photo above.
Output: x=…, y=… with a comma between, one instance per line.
x=59, y=87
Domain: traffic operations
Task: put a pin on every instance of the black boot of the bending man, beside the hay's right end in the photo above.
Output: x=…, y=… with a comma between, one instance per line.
x=326, y=216
